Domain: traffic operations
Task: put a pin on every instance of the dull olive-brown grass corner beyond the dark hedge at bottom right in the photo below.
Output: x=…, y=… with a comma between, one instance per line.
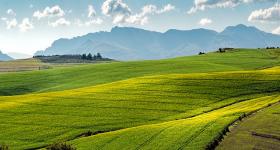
x=266, y=122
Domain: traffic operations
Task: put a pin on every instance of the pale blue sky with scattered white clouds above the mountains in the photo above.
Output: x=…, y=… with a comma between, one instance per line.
x=27, y=26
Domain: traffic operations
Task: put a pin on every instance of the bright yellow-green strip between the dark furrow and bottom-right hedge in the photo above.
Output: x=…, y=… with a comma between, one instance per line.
x=192, y=133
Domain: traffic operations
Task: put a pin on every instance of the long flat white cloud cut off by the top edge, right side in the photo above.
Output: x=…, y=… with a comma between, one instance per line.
x=200, y=5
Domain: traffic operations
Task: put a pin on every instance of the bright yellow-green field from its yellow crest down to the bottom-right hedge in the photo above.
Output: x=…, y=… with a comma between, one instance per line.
x=144, y=110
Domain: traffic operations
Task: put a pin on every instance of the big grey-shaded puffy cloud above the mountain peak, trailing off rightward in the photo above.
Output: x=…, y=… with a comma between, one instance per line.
x=121, y=13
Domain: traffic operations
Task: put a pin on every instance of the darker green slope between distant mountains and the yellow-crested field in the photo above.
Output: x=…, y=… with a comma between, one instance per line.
x=59, y=79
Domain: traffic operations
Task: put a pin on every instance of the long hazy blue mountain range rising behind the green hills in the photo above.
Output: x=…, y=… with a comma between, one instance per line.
x=125, y=43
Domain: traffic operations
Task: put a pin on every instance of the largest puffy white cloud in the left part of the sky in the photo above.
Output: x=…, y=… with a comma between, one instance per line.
x=54, y=11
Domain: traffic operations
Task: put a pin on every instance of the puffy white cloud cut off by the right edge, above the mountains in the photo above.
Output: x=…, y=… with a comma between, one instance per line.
x=269, y=14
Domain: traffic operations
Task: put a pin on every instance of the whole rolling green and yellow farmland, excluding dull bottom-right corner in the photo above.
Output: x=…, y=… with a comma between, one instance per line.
x=180, y=103
